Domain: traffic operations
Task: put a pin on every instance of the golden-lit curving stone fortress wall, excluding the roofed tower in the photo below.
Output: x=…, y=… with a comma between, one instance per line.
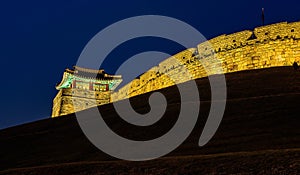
x=266, y=46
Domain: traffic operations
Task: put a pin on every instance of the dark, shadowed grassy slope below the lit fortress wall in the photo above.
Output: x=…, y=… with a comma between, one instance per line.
x=259, y=134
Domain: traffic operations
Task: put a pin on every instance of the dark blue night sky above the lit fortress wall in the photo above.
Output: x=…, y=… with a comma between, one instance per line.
x=39, y=39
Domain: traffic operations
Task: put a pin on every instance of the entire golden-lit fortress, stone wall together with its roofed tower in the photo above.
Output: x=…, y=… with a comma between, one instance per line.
x=264, y=47
